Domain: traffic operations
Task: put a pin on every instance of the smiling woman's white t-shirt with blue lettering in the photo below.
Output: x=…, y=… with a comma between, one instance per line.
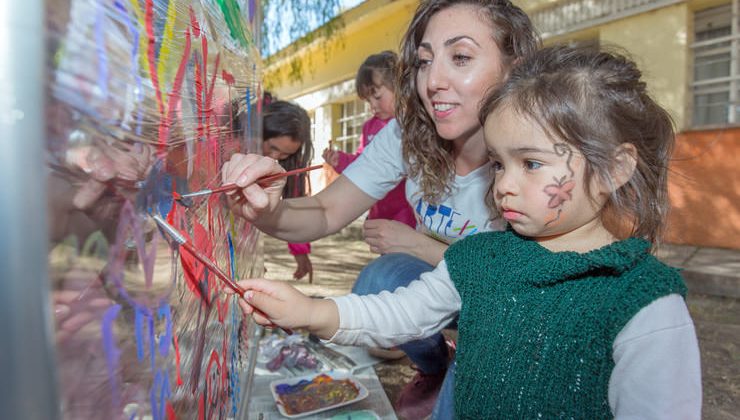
x=381, y=167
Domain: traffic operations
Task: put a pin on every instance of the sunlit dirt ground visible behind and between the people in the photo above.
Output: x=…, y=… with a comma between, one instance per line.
x=337, y=260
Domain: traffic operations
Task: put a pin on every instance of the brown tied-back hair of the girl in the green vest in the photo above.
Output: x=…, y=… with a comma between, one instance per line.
x=597, y=101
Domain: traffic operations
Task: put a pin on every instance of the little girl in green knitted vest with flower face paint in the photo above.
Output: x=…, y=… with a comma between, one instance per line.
x=558, y=316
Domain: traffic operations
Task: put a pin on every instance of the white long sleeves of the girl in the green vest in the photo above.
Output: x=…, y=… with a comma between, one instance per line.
x=657, y=373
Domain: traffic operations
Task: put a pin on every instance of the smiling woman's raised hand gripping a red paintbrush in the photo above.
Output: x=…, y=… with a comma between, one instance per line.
x=253, y=199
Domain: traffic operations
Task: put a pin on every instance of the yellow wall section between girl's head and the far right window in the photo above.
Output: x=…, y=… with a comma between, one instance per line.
x=658, y=41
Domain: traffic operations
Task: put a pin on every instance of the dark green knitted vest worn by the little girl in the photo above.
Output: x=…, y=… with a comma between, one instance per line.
x=536, y=328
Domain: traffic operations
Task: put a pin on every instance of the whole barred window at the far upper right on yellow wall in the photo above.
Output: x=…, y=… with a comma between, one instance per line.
x=716, y=72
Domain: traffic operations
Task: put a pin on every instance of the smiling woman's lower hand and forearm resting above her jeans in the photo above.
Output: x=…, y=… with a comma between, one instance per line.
x=388, y=236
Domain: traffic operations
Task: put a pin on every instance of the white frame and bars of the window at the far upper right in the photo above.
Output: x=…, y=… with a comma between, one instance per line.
x=726, y=83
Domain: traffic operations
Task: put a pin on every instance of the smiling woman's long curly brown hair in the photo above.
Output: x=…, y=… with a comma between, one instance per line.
x=429, y=156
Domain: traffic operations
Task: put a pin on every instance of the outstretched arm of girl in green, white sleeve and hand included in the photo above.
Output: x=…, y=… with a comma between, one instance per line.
x=424, y=307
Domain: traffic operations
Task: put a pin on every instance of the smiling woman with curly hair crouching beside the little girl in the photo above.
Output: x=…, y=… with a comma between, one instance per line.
x=452, y=53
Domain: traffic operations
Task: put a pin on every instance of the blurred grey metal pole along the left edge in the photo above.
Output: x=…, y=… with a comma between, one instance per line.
x=27, y=368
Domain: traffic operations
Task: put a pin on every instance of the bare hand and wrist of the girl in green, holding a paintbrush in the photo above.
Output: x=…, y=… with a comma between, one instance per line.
x=278, y=303
